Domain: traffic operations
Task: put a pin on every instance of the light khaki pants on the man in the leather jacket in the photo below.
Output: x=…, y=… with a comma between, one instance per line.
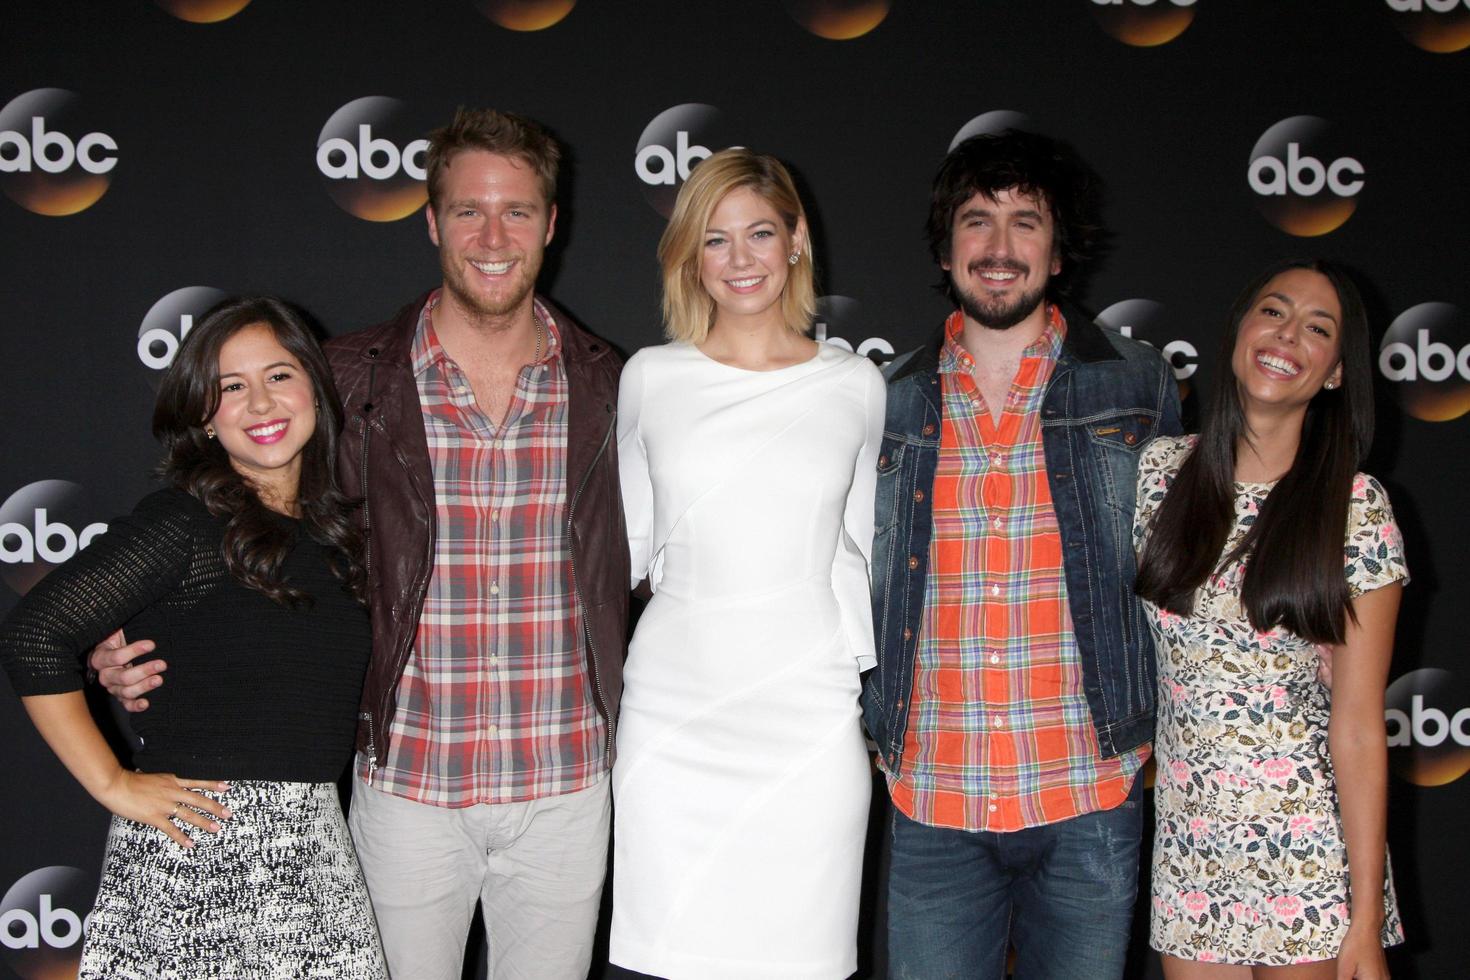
x=536, y=868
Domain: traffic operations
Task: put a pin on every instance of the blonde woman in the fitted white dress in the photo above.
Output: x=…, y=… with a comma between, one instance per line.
x=749, y=465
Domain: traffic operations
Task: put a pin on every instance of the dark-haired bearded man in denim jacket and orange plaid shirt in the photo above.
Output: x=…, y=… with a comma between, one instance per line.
x=1014, y=700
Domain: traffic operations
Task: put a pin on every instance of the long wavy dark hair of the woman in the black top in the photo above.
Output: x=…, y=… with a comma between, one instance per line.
x=257, y=541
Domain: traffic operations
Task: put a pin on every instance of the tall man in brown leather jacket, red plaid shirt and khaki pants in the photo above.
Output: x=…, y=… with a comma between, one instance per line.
x=480, y=434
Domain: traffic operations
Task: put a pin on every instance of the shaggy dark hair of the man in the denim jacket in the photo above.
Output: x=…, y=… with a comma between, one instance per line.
x=1025, y=164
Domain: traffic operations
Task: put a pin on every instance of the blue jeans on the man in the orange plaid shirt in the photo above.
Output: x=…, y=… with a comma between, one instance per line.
x=1064, y=894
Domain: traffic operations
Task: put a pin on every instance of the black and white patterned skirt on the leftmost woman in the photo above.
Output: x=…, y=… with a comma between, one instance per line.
x=276, y=894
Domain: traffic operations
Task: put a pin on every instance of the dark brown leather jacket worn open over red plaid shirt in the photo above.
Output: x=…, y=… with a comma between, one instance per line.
x=384, y=458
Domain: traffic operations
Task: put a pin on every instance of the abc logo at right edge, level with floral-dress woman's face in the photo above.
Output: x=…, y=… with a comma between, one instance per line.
x=1427, y=350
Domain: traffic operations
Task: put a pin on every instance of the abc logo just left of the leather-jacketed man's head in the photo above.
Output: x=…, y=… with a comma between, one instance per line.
x=371, y=155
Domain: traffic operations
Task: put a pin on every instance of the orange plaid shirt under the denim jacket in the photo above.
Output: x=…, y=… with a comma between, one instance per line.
x=1000, y=737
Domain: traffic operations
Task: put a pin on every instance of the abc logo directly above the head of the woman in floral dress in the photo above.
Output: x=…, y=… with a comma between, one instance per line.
x=1305, y=186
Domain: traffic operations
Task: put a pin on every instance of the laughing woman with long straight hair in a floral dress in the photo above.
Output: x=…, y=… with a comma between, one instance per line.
x=1261, y=541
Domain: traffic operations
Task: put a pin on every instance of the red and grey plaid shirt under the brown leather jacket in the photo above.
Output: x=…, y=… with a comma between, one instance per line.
x=496, y=703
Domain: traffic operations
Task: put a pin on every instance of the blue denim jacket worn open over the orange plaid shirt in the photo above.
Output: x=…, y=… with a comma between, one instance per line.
x=1106, y=399
